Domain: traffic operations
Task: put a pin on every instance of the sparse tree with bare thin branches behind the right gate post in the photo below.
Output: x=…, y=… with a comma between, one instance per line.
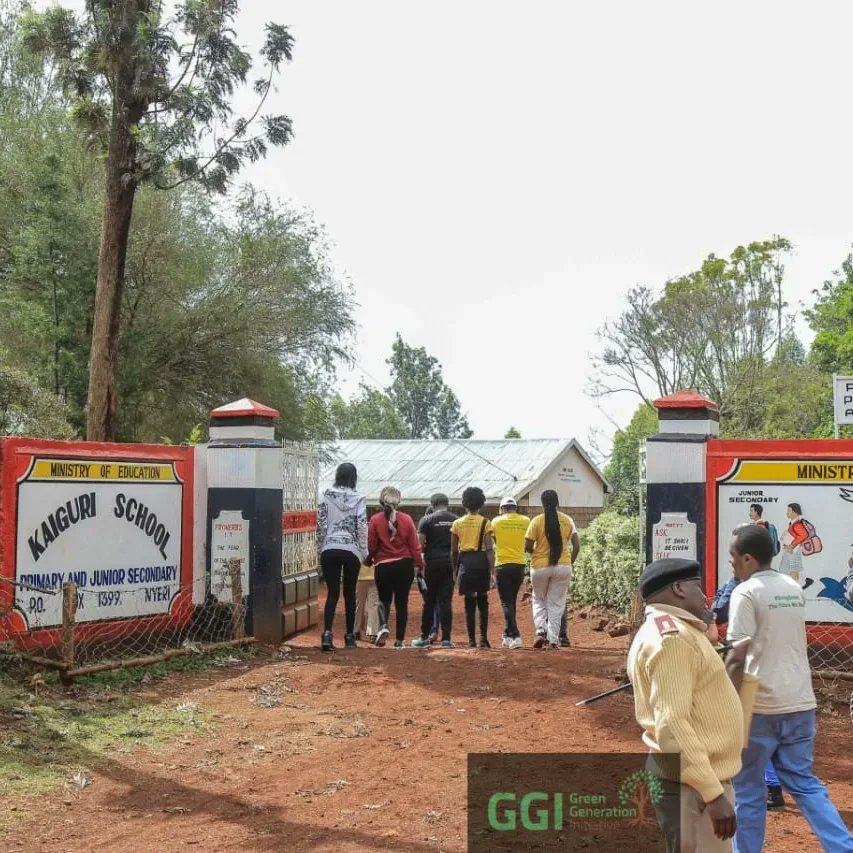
x=712, y=330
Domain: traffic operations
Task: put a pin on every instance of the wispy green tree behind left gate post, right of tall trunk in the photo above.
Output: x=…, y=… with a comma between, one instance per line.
x=224, y=305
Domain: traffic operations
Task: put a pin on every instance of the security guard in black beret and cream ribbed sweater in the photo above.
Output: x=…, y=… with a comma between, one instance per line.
x=686, y=704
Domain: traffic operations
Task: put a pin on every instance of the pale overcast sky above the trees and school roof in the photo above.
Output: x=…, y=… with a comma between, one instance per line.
x=495, y=176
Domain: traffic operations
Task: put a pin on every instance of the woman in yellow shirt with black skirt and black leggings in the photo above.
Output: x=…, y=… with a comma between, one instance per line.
x=472, y=556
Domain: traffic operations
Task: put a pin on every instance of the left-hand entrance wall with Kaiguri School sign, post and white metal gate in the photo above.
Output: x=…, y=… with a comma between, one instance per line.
x=118, y=554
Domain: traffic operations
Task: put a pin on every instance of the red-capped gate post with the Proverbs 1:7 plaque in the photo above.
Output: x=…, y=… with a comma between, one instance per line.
x=244, y=508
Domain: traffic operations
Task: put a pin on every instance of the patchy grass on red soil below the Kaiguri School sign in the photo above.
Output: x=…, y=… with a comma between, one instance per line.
x=49, y=734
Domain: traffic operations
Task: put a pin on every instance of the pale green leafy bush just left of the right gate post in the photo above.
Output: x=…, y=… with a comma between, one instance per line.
x=609, y=564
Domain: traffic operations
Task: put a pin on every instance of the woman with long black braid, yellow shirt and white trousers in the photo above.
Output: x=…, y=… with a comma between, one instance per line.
x=547, y=541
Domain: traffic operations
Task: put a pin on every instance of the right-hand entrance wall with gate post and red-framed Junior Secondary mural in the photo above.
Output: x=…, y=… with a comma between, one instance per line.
x=699, y=488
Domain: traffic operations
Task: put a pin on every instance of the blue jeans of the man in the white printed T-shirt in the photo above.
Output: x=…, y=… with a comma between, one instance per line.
x=787, y=739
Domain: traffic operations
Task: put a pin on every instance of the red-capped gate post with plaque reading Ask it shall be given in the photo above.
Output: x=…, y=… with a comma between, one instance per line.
x=675, y=479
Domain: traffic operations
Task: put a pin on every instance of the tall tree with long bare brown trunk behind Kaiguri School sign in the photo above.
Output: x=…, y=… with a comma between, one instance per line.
x=152, y=92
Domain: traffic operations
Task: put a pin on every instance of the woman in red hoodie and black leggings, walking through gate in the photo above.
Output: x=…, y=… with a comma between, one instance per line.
x=393, y=547
